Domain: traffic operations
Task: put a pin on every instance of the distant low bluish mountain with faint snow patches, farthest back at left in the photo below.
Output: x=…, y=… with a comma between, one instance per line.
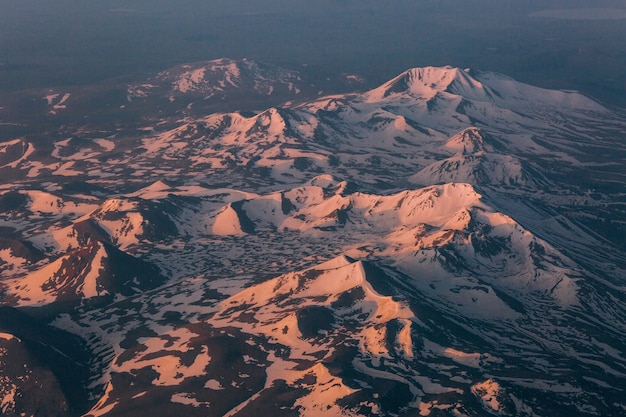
x=130, y=102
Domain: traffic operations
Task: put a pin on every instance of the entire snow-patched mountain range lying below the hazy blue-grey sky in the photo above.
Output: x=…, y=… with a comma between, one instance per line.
x=227, y=238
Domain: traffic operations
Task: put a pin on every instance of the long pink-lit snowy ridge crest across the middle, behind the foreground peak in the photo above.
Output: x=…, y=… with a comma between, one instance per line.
x=311, y=208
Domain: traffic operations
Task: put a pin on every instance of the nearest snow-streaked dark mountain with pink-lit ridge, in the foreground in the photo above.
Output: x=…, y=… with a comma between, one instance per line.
x=346, y=337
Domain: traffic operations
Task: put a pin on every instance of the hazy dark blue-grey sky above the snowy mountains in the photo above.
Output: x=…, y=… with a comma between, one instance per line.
x=59, y=42
